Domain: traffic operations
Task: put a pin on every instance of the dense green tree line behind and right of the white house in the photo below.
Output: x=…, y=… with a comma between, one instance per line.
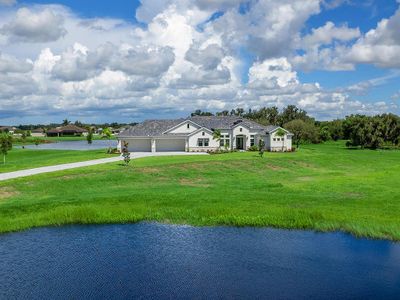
x=362, y=131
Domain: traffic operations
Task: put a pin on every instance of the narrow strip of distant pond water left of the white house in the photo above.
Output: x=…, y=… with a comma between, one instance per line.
x=75, y=145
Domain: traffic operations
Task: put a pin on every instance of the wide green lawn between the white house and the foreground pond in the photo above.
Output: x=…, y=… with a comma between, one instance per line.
x=322, y=187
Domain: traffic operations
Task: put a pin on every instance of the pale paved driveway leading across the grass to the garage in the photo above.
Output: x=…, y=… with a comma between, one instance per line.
x=41, y=170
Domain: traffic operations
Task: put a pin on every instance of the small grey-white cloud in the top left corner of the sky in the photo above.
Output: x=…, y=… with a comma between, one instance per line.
x=38, y=27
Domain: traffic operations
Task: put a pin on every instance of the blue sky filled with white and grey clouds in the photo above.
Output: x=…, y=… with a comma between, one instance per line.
x=129, y=60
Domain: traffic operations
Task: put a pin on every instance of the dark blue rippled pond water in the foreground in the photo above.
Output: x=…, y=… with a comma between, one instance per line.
x=181, y=262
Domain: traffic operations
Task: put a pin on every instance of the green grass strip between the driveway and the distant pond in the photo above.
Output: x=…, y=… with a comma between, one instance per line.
x=20, y=159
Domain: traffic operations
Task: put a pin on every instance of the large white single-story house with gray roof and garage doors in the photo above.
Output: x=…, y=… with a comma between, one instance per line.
x=196, y=134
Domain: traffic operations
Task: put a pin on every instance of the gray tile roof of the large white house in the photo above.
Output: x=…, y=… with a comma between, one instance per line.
x=158, y=127
